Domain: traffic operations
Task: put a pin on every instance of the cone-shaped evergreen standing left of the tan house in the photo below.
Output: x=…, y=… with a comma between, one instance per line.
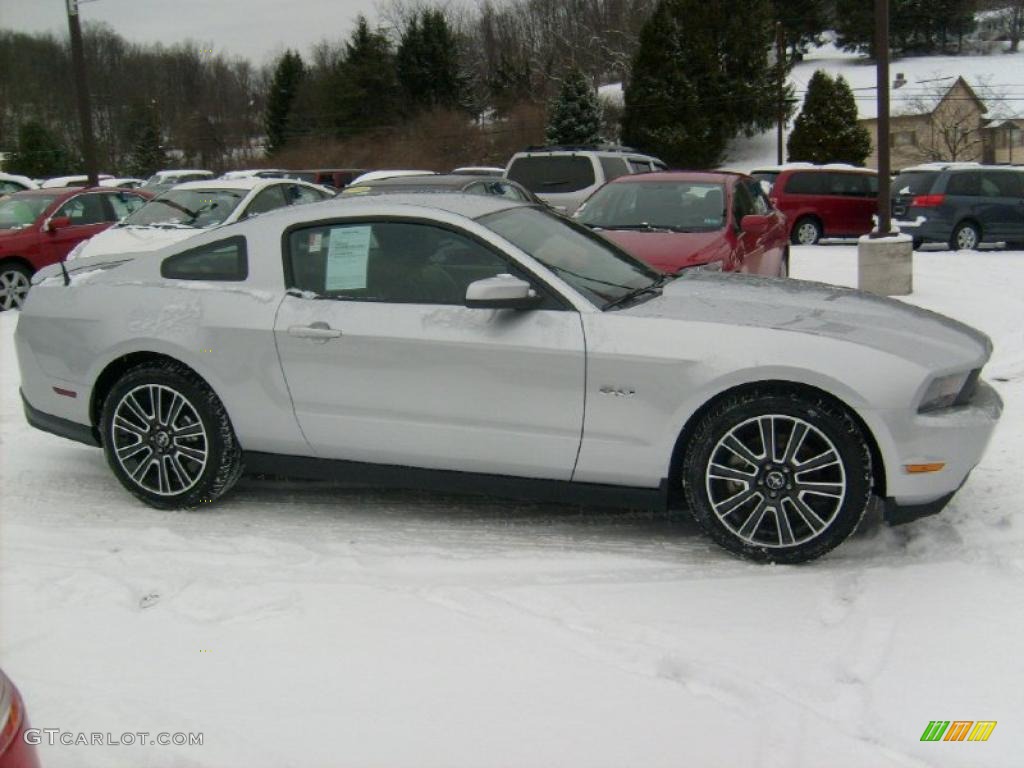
x=827, y=130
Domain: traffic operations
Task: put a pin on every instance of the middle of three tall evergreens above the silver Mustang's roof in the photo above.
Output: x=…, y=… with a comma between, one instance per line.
x=366, y=88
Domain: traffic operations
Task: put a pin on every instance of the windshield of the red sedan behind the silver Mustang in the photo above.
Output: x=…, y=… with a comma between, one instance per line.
x=680, y=206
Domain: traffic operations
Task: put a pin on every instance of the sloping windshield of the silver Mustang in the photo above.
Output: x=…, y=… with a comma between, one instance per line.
x=593, y=267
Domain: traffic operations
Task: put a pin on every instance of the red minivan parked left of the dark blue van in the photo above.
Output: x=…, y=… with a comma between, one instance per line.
x=827, y=202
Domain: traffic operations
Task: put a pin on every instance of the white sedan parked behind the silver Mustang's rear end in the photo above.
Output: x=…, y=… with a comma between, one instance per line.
x=190, y=208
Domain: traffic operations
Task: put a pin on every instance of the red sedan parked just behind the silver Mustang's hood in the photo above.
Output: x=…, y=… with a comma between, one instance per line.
x=679, y=220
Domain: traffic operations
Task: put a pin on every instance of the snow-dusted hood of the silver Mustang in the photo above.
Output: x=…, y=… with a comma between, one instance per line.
x=932, y=340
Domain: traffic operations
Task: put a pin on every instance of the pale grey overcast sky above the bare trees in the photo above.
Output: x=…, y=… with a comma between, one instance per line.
x=255, y=29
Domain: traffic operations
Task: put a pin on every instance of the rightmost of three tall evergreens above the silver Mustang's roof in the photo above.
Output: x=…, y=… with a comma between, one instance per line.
x=428, y=63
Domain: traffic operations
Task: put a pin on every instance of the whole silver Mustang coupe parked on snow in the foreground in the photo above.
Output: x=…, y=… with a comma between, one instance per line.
x=473, y=344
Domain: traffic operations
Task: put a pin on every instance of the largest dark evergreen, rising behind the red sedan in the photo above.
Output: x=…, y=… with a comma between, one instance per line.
x=700, y=77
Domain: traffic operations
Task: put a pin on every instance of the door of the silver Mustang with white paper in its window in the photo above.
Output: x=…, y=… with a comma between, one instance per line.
x=386, y=365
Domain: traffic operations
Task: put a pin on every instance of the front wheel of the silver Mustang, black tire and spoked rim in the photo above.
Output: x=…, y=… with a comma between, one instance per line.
x=774, y=511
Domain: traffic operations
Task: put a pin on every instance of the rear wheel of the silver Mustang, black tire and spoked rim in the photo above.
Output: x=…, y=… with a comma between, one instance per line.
x=140, y=418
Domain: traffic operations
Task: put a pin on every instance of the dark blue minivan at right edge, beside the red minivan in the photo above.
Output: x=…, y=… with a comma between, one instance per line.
x=961, y=204
